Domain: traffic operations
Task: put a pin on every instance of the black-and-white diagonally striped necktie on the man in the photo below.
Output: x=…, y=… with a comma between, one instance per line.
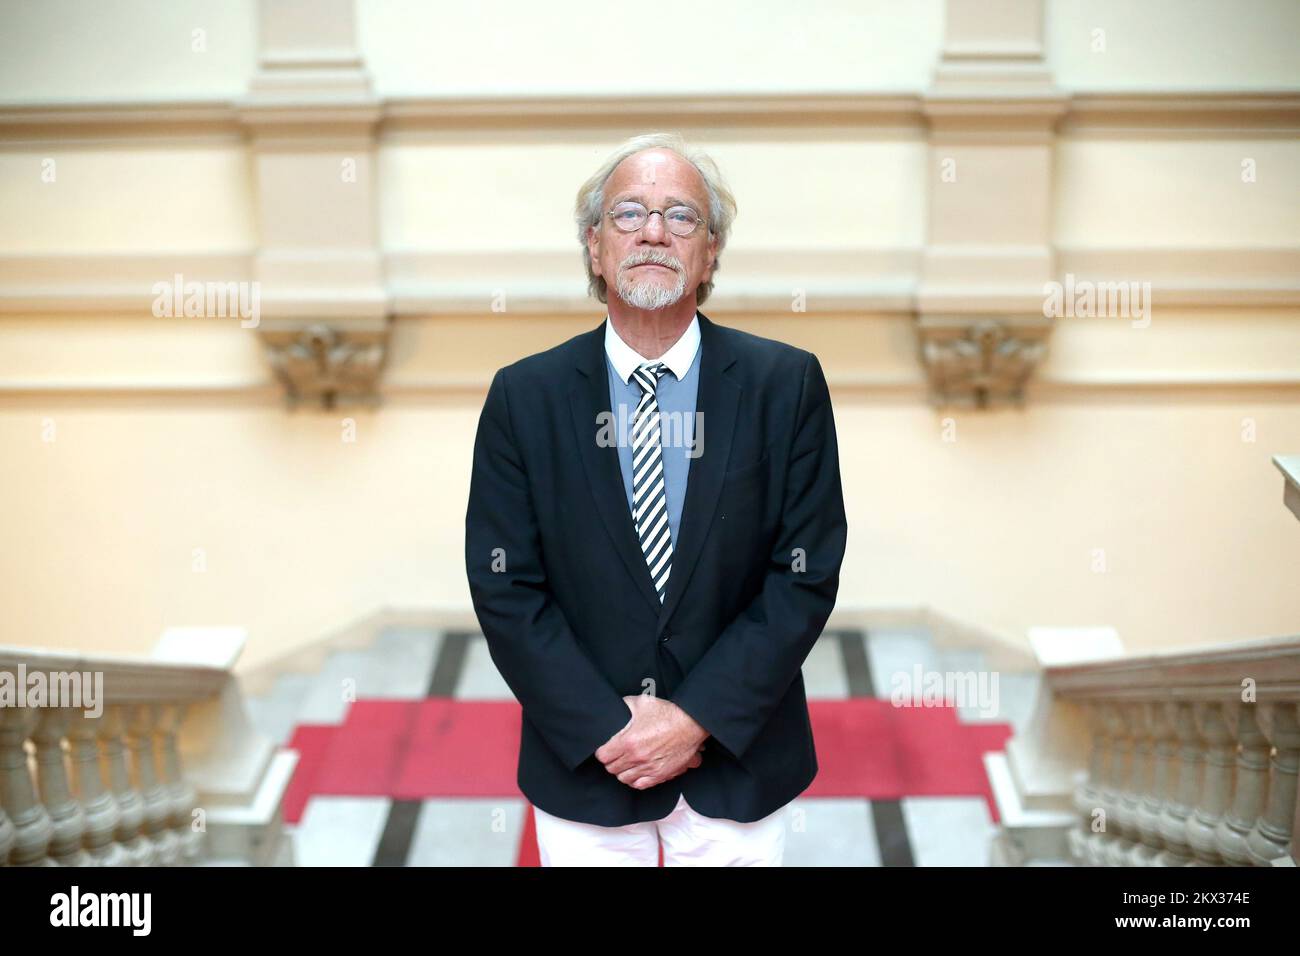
x=649, y=503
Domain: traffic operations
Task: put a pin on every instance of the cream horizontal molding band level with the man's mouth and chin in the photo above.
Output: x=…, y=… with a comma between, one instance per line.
x=868, y=280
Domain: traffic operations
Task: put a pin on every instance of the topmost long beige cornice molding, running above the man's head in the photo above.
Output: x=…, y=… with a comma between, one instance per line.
x=1082, y=114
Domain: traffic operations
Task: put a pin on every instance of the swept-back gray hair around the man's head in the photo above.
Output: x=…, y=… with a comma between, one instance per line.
x=591, y=201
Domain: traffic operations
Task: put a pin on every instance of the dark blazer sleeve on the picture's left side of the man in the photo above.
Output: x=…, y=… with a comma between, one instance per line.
x=560, y=687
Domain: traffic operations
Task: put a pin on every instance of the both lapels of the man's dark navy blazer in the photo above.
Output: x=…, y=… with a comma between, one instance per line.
x=717, y=403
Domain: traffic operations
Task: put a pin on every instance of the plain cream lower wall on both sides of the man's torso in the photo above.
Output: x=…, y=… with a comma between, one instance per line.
x=994, y=518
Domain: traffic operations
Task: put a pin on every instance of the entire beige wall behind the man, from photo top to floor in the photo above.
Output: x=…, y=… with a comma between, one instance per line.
x=1134, y=487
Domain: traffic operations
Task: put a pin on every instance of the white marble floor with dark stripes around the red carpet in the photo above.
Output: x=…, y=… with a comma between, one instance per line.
x=413, y=665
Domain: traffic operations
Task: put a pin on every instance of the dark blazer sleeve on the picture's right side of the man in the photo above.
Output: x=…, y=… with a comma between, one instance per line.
x=736, y=686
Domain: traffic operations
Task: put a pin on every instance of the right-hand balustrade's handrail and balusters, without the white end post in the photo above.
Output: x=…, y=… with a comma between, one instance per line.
x=1193, y=759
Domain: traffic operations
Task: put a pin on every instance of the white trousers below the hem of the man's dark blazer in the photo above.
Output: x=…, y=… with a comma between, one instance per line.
x=690, y=840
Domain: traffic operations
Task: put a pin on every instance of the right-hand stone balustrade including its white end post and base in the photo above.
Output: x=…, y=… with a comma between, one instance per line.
x=1177, y=759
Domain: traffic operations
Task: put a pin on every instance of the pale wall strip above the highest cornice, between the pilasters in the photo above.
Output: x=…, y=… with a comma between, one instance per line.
x=458, y=47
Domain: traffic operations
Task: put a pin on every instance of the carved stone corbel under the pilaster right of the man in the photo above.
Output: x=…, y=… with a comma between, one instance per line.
x=981, y=362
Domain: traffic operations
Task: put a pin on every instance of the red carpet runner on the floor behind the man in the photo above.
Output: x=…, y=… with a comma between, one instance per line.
x=435, y=749
